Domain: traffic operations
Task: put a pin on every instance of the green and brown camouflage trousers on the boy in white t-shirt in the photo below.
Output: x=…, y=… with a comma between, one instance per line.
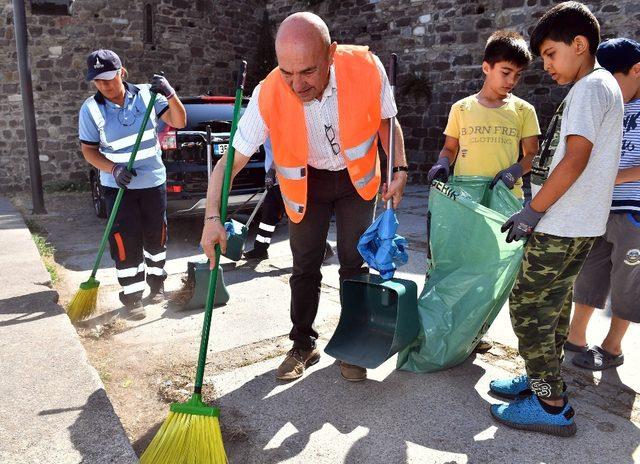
x=540, y=306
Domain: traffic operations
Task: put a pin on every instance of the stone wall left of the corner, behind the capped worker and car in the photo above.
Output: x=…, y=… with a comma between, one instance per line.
x=198, y=45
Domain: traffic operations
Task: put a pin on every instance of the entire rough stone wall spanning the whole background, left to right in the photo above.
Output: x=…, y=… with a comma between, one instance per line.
x=198, y=43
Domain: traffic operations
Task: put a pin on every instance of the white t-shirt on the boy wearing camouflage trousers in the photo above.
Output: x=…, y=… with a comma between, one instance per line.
x=594, y=110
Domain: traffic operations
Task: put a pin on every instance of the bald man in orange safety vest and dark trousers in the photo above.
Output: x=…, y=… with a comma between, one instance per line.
x=325, y=107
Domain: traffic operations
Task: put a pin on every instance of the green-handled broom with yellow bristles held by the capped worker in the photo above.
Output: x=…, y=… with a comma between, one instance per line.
x=85, y=300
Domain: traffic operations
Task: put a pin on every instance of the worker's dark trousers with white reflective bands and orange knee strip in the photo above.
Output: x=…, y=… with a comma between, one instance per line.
x=138, y=240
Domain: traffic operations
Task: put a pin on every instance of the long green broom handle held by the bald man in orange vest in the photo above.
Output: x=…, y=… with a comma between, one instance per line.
x=213, y=278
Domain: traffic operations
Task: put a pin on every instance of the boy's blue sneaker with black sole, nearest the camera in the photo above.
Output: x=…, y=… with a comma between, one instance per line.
x=528, y=414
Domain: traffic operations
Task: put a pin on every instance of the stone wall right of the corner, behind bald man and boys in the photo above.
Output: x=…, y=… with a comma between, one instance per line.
x=440, y=46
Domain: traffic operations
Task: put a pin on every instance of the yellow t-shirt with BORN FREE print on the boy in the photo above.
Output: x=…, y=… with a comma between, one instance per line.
x=489, y=138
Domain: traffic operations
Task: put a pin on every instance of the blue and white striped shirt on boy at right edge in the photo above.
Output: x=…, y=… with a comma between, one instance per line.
x=626, y=197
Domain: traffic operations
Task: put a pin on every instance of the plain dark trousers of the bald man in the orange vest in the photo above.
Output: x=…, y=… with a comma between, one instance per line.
x=328, y=193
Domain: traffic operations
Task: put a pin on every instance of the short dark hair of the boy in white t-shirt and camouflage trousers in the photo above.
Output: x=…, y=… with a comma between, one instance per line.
x=563, y=23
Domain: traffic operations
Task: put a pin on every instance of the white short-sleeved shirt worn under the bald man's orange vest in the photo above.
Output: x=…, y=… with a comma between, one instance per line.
x=319, y=114
